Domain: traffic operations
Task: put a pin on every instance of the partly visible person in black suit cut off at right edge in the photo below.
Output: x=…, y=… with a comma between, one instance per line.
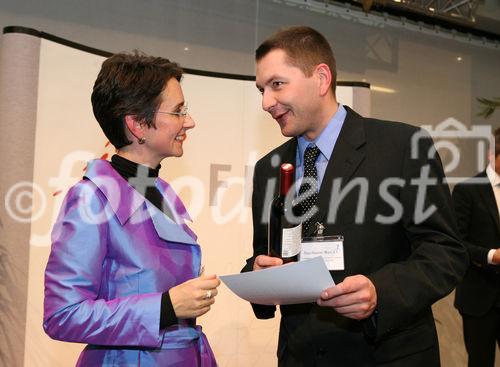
x=477, y=205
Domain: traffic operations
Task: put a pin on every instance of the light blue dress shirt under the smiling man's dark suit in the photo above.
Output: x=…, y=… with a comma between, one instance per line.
x=325, y=142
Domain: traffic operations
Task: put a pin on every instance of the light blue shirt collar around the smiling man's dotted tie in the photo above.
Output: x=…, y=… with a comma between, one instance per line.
x=328, y=137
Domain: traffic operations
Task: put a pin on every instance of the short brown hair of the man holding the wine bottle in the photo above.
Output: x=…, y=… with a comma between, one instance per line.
x=305, y=48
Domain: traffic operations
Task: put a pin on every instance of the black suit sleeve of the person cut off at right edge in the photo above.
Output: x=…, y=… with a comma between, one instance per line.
x=464, y=202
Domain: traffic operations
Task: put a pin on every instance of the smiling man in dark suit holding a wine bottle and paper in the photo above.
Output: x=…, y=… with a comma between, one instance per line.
x=401, y=251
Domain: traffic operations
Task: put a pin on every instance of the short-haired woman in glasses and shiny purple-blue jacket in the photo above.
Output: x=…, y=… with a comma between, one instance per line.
x=124, y=271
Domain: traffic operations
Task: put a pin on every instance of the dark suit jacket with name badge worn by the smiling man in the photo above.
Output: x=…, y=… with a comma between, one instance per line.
x=411, y=264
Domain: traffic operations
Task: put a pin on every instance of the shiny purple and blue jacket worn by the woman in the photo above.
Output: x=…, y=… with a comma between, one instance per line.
x=113, y=254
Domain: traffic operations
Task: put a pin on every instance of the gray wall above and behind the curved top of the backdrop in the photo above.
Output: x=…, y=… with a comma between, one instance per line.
x=221, y=35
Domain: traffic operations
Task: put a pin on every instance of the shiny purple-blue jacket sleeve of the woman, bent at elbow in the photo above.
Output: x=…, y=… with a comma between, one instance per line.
x=74, y=277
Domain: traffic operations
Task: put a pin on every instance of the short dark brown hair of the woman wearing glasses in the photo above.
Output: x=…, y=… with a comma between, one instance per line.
x=130, y=84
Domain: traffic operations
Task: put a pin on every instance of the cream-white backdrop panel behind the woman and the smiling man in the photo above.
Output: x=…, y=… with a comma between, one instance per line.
x=213, y=178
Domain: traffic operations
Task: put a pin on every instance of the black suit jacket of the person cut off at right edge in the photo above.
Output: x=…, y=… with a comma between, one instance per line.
x=478, y=221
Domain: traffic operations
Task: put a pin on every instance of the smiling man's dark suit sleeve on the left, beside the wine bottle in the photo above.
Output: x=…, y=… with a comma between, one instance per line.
x=259, y=236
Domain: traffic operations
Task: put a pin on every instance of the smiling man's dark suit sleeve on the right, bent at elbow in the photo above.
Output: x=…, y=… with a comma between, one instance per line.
x=437, y=259
